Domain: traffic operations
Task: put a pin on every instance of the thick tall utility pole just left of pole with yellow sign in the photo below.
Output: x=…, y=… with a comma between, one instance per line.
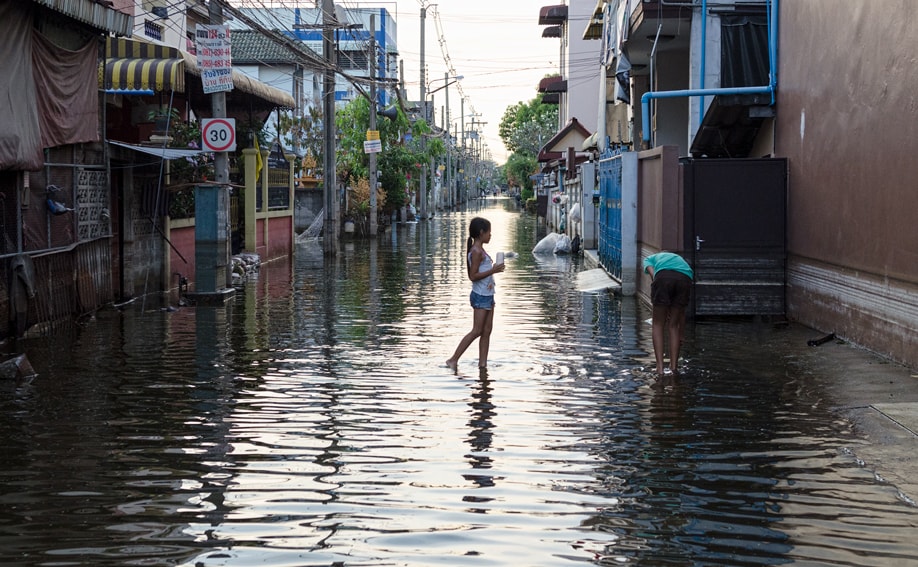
x=330, y=178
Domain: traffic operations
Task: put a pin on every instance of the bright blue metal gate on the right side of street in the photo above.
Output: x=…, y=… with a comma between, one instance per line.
x=610, y=212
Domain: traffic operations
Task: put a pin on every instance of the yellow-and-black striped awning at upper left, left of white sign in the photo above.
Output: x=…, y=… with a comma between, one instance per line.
x=140, y=67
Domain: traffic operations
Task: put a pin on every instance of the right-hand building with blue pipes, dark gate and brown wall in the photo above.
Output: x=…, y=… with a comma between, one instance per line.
x=767, y=142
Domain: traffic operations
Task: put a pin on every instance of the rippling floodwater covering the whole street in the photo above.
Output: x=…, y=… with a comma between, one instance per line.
x=312, y=422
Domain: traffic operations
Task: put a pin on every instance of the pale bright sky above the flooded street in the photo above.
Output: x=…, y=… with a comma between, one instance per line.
x=495, y=45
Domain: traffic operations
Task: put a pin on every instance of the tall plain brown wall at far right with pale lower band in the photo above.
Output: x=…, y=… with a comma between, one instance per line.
x=846, y=104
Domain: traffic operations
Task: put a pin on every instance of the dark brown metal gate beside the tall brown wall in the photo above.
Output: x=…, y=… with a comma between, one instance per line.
x=735, y=213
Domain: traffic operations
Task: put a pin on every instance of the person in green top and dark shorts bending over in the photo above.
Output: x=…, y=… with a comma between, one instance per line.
x=669, y=295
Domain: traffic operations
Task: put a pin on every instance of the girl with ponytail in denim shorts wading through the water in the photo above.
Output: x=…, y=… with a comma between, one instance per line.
x=481, y=270
